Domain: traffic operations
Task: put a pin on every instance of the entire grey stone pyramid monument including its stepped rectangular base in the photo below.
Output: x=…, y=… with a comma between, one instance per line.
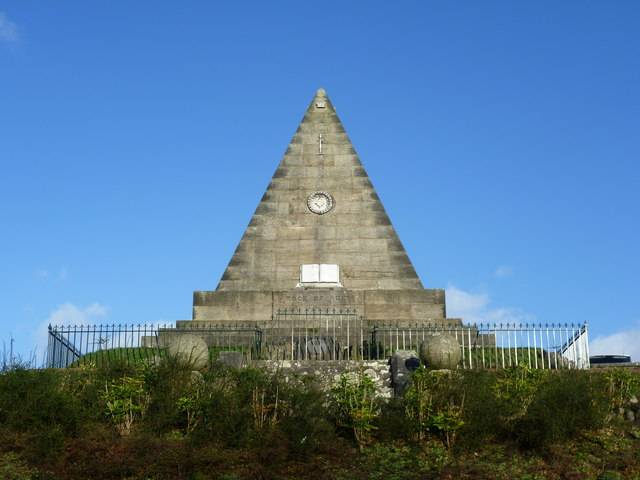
x=320, y=210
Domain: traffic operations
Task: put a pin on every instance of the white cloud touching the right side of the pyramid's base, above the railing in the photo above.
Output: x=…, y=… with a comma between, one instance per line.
x=477, y=308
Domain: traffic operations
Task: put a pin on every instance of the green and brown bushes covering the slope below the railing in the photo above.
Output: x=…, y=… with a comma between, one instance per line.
x=167, y=422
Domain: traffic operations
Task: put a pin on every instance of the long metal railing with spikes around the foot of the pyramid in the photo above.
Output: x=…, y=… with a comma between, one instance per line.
x=323, y=335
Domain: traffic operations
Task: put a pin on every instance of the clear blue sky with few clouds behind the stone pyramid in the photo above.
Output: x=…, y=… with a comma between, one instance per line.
x=136, y=139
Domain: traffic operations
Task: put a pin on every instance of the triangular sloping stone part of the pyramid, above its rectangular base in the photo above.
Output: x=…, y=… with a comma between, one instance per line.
x=355, y=233
